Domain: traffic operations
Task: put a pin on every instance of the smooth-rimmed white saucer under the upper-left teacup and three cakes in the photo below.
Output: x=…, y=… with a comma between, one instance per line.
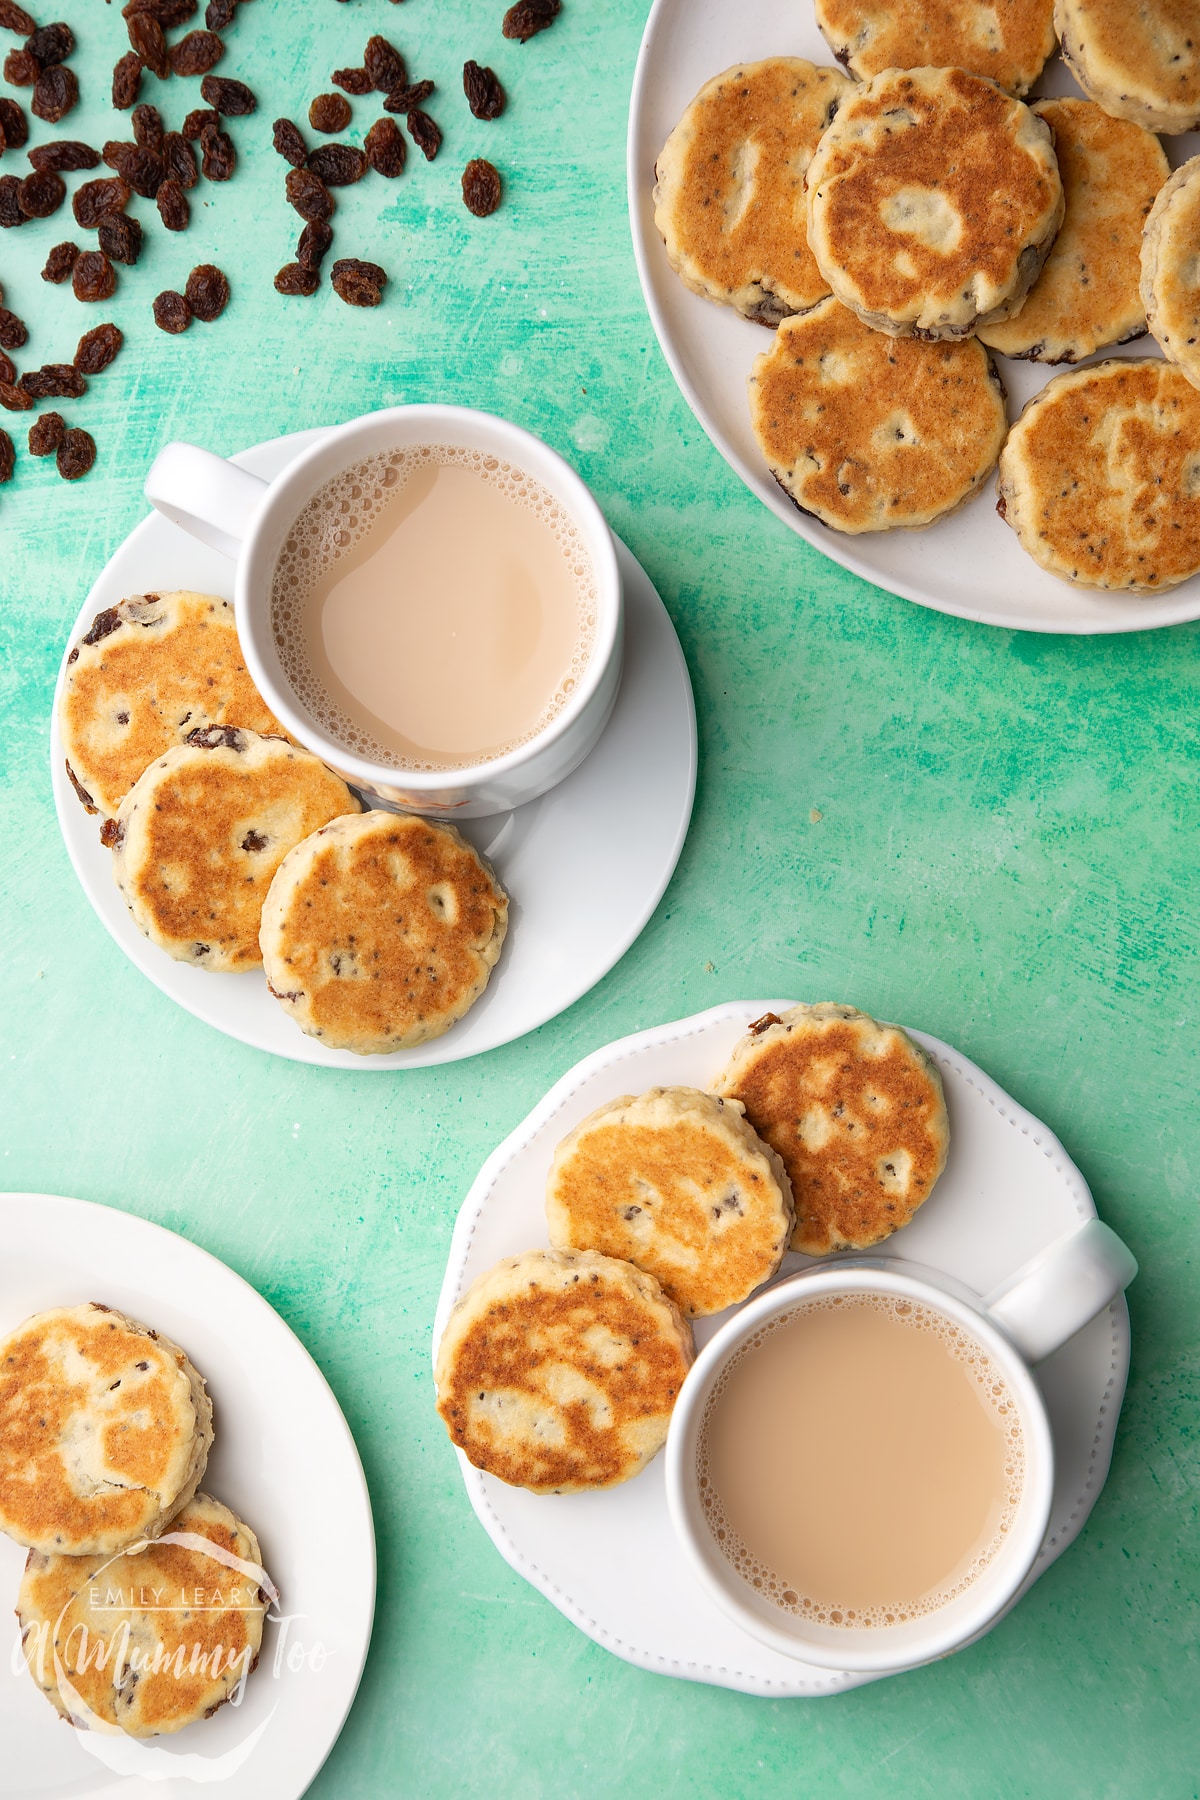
x=586, y=867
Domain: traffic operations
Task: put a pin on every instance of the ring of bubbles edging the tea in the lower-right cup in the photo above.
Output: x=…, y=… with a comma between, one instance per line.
x=776, y=1588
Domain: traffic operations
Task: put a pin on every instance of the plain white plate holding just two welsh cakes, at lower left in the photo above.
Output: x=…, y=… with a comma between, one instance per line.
x=283, y=1461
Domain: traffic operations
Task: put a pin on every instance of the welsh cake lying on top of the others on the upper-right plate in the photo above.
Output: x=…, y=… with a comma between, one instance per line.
x=933, y=202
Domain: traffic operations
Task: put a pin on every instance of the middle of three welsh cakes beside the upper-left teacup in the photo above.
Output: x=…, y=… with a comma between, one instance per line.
x=202, y=832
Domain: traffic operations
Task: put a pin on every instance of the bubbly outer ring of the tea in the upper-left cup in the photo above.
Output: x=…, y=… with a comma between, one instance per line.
x=341, y=516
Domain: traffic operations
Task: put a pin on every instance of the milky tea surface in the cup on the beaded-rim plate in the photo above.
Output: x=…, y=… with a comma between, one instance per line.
x=861, y=1461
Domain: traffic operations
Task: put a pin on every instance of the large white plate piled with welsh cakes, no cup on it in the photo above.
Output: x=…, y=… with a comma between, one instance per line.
x=971, y=564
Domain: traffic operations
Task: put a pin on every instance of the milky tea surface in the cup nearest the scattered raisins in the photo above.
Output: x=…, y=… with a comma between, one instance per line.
x=434, y=607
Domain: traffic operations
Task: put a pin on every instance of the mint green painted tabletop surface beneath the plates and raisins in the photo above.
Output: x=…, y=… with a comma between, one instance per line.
x=1007, y=856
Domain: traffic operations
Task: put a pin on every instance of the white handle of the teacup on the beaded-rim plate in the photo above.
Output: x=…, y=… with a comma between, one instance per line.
x=1055, y=1295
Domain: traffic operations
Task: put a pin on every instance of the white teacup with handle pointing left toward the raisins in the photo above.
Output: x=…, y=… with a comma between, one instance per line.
x=249, y=521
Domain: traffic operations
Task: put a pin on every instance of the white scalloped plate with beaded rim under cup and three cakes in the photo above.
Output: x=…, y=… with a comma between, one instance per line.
x=611, y=1561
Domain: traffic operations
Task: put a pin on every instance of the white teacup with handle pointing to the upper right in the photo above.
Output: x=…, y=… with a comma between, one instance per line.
x=1046, y=1304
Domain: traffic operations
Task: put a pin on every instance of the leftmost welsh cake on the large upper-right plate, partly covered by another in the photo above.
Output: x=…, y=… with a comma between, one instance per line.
x=730, y=197
